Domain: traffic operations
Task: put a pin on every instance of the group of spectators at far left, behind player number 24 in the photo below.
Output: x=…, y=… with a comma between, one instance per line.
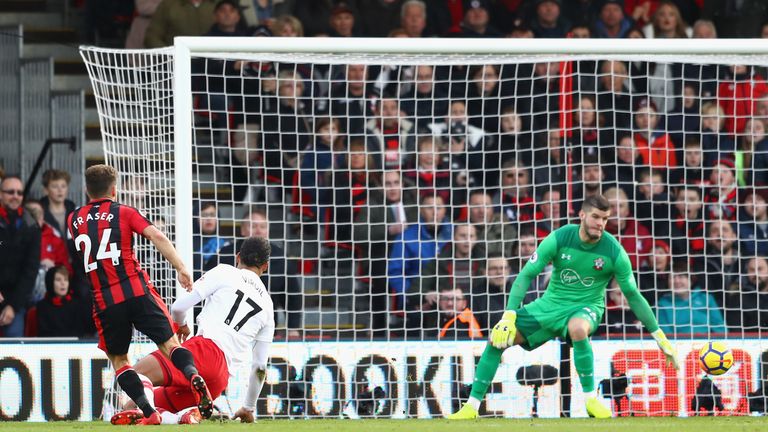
x=43, y=291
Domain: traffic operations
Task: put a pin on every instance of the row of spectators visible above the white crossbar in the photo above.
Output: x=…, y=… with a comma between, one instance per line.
x=154, y=23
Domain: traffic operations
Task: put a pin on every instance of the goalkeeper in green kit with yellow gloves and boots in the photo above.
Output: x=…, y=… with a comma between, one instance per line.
x=584, y=259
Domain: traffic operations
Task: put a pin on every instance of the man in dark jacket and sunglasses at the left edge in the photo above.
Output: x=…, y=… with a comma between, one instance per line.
x=19, y=256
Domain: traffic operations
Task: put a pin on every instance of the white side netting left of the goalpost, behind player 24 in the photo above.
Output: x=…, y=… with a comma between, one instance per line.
x=133, y=93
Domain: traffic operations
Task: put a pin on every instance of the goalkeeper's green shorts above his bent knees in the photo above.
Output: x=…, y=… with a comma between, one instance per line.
x=542, y=321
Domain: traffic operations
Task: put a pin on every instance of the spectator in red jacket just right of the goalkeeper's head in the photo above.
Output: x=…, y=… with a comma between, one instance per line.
x=634, y=237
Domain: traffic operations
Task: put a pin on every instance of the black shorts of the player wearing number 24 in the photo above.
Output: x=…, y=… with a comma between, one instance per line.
x=146, y=313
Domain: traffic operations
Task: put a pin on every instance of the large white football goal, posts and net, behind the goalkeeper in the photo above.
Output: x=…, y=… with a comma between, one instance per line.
x=403, y=184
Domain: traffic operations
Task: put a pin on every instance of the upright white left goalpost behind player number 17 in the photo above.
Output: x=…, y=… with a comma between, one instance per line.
x=182, y=122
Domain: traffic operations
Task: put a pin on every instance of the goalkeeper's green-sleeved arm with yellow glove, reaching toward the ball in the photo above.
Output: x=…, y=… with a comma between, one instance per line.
x=642, y=309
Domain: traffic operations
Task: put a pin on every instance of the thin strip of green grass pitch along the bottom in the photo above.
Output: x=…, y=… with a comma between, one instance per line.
x=698, y=424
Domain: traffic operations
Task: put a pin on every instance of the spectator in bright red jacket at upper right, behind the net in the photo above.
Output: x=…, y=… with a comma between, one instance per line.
x=738, y=96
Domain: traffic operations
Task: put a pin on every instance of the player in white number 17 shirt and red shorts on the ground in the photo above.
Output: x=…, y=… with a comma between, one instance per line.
x=237, y=322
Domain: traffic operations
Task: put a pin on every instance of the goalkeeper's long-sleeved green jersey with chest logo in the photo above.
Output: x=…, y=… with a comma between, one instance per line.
x=580, y=273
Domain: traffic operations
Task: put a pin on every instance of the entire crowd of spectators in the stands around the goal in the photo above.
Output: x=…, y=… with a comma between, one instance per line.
x=420, y=191
